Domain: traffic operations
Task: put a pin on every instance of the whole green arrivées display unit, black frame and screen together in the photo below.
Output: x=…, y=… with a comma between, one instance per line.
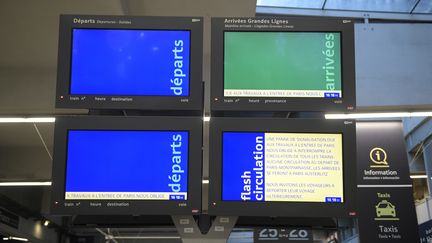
x=282, y=64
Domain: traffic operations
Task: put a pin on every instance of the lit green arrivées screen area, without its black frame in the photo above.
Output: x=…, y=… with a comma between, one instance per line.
x=282, y=64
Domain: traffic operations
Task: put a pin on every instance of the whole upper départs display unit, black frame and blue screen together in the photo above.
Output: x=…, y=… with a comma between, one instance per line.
x=125, y=62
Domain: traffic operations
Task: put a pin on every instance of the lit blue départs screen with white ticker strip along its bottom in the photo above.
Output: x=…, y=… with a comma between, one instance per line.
x=127, y=165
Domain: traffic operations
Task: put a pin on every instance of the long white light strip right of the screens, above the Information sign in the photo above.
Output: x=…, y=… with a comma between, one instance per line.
x=377, y=115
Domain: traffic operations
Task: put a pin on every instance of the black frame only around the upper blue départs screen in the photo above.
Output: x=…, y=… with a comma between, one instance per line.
x=193, y=102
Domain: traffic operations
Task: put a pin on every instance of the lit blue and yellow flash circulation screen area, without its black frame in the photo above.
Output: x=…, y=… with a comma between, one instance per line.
x=284, y=167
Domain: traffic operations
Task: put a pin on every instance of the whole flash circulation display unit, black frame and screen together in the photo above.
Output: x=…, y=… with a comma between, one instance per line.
x=280, y=167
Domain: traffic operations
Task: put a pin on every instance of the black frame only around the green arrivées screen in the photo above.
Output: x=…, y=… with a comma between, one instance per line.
x=292, y=24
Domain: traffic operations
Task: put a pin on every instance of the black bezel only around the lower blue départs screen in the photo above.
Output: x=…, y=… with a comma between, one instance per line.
x=61, y=206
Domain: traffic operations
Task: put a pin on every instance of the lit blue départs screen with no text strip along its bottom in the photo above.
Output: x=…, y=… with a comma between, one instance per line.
x=130, y=62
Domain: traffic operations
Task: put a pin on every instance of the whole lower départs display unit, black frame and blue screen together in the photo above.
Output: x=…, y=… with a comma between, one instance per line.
x=127, y=165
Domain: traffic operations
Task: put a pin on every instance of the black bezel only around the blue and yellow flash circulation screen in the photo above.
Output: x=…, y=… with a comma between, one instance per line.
x=290, y=209
